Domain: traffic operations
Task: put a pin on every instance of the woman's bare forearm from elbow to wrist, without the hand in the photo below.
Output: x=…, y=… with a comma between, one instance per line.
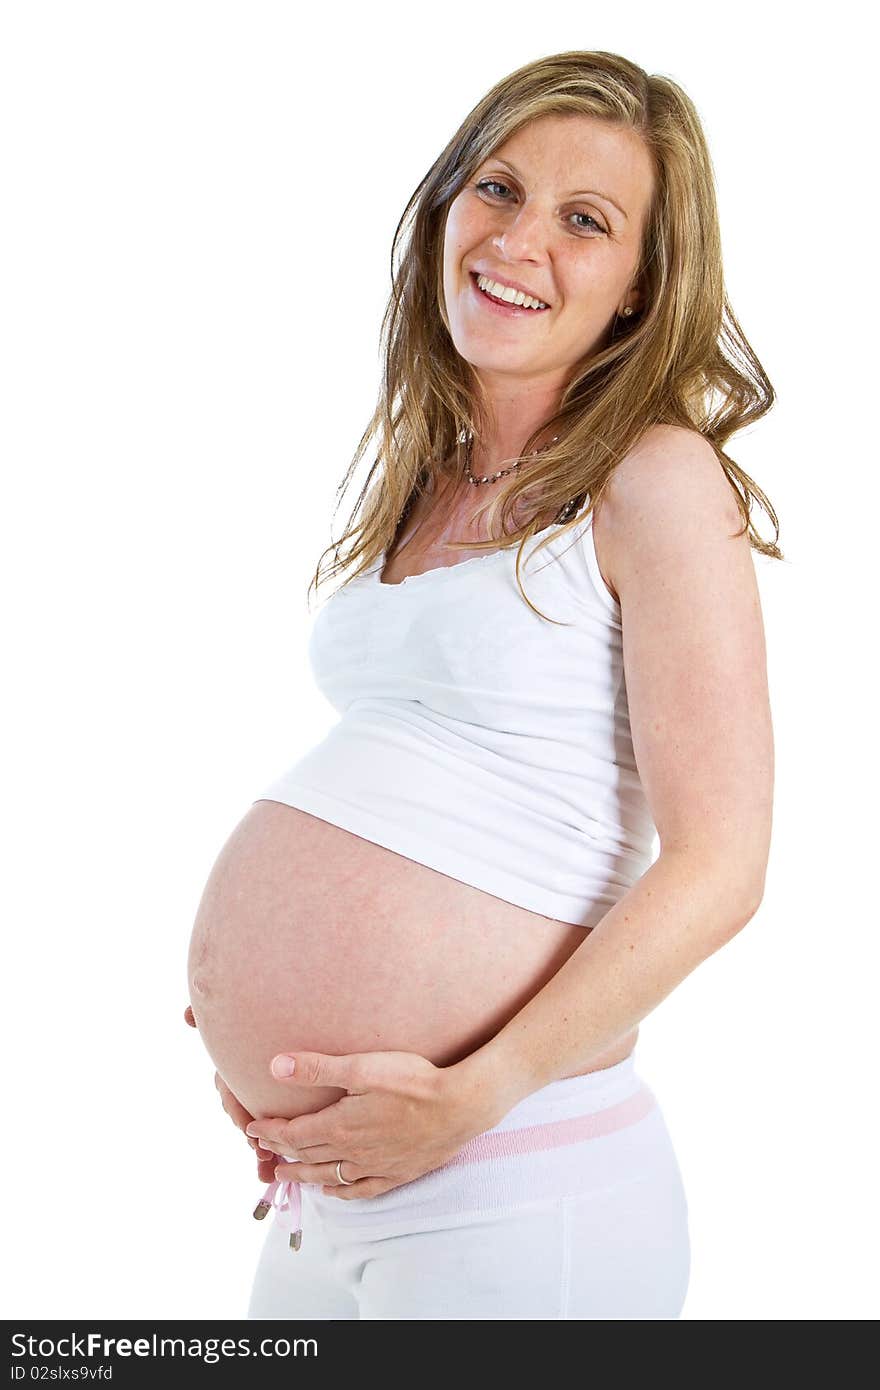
x=672, y=919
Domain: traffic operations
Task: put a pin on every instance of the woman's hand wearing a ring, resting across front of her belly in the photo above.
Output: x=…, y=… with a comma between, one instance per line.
x=404, y=1117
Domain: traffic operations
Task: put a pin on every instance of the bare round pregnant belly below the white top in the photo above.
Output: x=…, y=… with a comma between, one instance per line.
x=311, y=938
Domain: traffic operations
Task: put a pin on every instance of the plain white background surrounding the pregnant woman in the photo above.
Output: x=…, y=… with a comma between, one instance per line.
x=199, y=208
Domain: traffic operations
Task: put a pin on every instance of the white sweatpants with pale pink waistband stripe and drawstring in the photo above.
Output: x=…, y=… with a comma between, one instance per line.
x=572, y=1207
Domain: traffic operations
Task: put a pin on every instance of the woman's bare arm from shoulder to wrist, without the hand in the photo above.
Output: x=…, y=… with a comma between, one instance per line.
x=696, y=672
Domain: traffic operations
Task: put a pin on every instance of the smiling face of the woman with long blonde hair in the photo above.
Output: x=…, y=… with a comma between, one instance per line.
x=560, y=211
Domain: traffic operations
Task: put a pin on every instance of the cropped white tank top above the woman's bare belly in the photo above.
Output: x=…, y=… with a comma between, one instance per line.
x=479, y=739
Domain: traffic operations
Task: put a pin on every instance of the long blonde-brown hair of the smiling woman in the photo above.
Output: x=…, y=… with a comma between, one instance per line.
x=681, y=361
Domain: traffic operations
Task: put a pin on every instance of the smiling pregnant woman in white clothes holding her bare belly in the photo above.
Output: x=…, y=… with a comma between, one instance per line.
x=422, y=958
